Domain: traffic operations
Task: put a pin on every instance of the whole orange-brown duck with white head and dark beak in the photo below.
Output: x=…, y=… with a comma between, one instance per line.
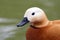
x=40, y=27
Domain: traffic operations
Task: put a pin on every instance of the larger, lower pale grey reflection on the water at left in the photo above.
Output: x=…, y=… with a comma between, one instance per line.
x=6, y=31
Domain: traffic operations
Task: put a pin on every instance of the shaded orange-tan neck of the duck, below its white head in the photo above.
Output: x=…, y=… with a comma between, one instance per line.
x=40, y=24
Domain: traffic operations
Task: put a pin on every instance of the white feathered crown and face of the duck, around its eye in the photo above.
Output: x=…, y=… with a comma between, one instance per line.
x=38, y=14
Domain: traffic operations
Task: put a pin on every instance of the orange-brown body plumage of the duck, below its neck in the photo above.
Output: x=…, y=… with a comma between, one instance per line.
x=50, y=32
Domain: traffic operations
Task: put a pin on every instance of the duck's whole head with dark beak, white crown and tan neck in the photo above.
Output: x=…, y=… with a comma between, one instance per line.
x=35, y=16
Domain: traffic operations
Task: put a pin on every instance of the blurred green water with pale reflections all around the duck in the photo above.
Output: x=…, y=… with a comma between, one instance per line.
x=12, y=12
